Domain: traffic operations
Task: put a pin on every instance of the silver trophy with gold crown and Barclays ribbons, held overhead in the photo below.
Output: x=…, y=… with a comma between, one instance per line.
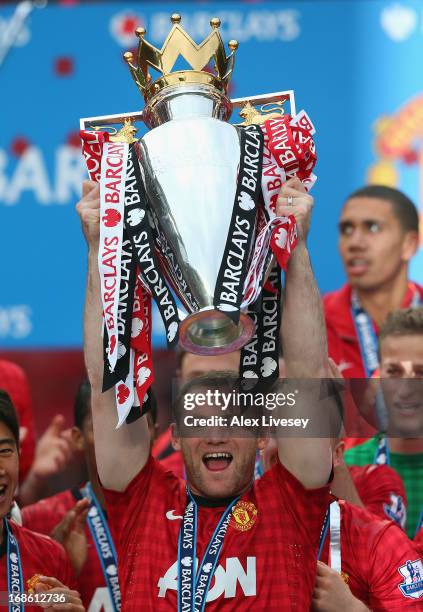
x=189, y=210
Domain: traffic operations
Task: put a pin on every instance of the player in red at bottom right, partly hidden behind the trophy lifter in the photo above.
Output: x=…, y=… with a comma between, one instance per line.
x=364, y=558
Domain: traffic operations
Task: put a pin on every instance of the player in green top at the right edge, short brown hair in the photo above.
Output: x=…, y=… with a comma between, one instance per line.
x=401, y=443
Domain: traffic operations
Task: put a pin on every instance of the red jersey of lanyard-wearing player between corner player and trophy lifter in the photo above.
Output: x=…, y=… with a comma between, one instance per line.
x=43, y=517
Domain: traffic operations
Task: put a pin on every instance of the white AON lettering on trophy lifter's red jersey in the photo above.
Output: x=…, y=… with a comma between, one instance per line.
x=225, y=580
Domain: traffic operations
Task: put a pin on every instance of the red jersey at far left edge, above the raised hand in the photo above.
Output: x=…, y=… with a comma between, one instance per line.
x=13, y=380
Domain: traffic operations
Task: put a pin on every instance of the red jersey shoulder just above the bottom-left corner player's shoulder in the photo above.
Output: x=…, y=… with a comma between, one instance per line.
x=44, y=515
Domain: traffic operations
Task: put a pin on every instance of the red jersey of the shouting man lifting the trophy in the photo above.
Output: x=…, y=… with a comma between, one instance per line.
x=266, y=563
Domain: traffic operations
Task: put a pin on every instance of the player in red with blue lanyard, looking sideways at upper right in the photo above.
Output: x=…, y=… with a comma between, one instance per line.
x=378, y=236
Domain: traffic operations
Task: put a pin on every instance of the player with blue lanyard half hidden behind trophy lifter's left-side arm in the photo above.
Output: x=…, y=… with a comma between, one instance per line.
x=89, y=544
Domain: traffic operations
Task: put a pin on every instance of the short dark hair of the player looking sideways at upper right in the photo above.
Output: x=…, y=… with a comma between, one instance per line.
x=402, y=207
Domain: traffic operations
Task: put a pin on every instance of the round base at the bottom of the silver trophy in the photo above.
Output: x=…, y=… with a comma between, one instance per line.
x=210, y=332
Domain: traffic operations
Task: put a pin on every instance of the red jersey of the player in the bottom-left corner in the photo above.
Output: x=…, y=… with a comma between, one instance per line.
x=39, y=555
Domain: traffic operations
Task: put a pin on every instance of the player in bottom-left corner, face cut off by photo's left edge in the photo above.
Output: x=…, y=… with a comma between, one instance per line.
x=27, y=556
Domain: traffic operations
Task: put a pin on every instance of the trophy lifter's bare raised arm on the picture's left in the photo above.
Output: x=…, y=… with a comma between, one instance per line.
x=120, y=453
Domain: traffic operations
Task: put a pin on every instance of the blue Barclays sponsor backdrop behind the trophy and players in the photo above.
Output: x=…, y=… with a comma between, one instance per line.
x=350, y=63
